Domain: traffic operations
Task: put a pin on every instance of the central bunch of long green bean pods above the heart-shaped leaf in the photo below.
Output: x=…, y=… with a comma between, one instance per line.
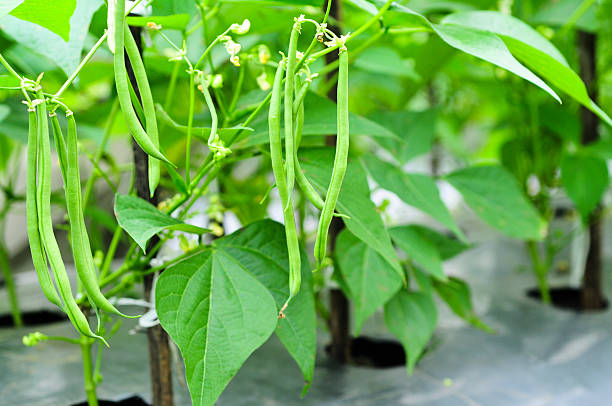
x=290, y=172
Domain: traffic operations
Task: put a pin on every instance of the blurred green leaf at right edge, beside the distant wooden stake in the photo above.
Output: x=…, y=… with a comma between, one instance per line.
x=585, y=179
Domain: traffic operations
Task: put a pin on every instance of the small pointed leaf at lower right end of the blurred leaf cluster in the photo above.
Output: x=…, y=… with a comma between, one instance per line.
x=456, y=293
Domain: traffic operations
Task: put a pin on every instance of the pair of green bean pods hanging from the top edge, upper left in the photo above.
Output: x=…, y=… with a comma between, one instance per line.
x=149, y=139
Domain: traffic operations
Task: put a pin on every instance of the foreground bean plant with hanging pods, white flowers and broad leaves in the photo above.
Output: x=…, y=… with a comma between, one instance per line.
x=208, y=91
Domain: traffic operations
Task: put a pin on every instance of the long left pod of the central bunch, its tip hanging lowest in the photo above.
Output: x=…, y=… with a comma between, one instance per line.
x=276, y=156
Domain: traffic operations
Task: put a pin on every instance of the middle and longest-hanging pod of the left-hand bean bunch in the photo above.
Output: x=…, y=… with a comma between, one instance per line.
x=45, y=226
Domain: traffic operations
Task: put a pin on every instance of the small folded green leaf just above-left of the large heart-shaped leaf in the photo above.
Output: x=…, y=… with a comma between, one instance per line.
x=141, y=220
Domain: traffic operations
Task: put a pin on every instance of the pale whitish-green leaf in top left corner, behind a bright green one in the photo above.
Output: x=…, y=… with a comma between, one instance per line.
x=67, y=55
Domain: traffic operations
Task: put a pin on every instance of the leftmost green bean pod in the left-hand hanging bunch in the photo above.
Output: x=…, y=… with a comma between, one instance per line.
x=36, y=249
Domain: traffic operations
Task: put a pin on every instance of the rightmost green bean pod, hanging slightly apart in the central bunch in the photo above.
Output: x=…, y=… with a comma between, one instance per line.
x=340, y=160
